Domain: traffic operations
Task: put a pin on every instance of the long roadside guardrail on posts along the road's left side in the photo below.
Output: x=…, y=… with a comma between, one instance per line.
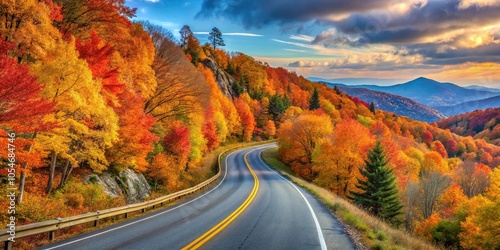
x=51, y=226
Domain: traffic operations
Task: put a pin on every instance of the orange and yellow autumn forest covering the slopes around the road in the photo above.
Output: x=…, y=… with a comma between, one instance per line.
x=86, y=90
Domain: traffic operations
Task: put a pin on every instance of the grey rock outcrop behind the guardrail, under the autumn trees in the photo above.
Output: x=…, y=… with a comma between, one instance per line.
x=129, y=185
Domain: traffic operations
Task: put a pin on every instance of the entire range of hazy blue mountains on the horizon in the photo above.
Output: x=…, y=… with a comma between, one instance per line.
x=435, y=98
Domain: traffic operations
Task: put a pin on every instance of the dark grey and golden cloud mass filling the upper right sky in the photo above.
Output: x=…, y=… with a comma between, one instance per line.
x=376, y=35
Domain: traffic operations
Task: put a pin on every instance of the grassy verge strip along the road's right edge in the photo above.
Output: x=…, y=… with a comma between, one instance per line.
x=373, y=232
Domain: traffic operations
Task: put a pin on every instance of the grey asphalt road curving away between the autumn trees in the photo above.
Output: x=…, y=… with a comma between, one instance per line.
x=279, y=215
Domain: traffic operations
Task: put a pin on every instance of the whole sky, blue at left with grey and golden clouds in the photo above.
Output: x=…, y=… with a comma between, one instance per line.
x=447, y=40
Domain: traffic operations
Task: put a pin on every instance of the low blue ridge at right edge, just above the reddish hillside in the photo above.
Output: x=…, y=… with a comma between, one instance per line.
x=492, y=102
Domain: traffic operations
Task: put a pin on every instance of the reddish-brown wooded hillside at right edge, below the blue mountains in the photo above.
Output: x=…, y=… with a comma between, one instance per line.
x=480, y=124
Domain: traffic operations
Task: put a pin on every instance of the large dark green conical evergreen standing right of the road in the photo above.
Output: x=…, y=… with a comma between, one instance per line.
x=379, y=193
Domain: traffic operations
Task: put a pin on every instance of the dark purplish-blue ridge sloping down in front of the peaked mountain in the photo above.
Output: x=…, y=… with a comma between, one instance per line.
x=396, y=104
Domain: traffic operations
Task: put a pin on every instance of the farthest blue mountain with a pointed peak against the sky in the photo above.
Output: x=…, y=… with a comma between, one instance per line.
x=432, y=93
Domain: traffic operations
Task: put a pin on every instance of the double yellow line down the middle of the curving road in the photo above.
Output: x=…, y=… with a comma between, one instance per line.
x=224, y=223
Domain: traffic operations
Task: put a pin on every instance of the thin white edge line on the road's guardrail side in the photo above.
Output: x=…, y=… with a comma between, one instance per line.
x=152, y=216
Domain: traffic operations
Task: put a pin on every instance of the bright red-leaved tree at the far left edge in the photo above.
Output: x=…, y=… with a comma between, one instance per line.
x=22, y=110
